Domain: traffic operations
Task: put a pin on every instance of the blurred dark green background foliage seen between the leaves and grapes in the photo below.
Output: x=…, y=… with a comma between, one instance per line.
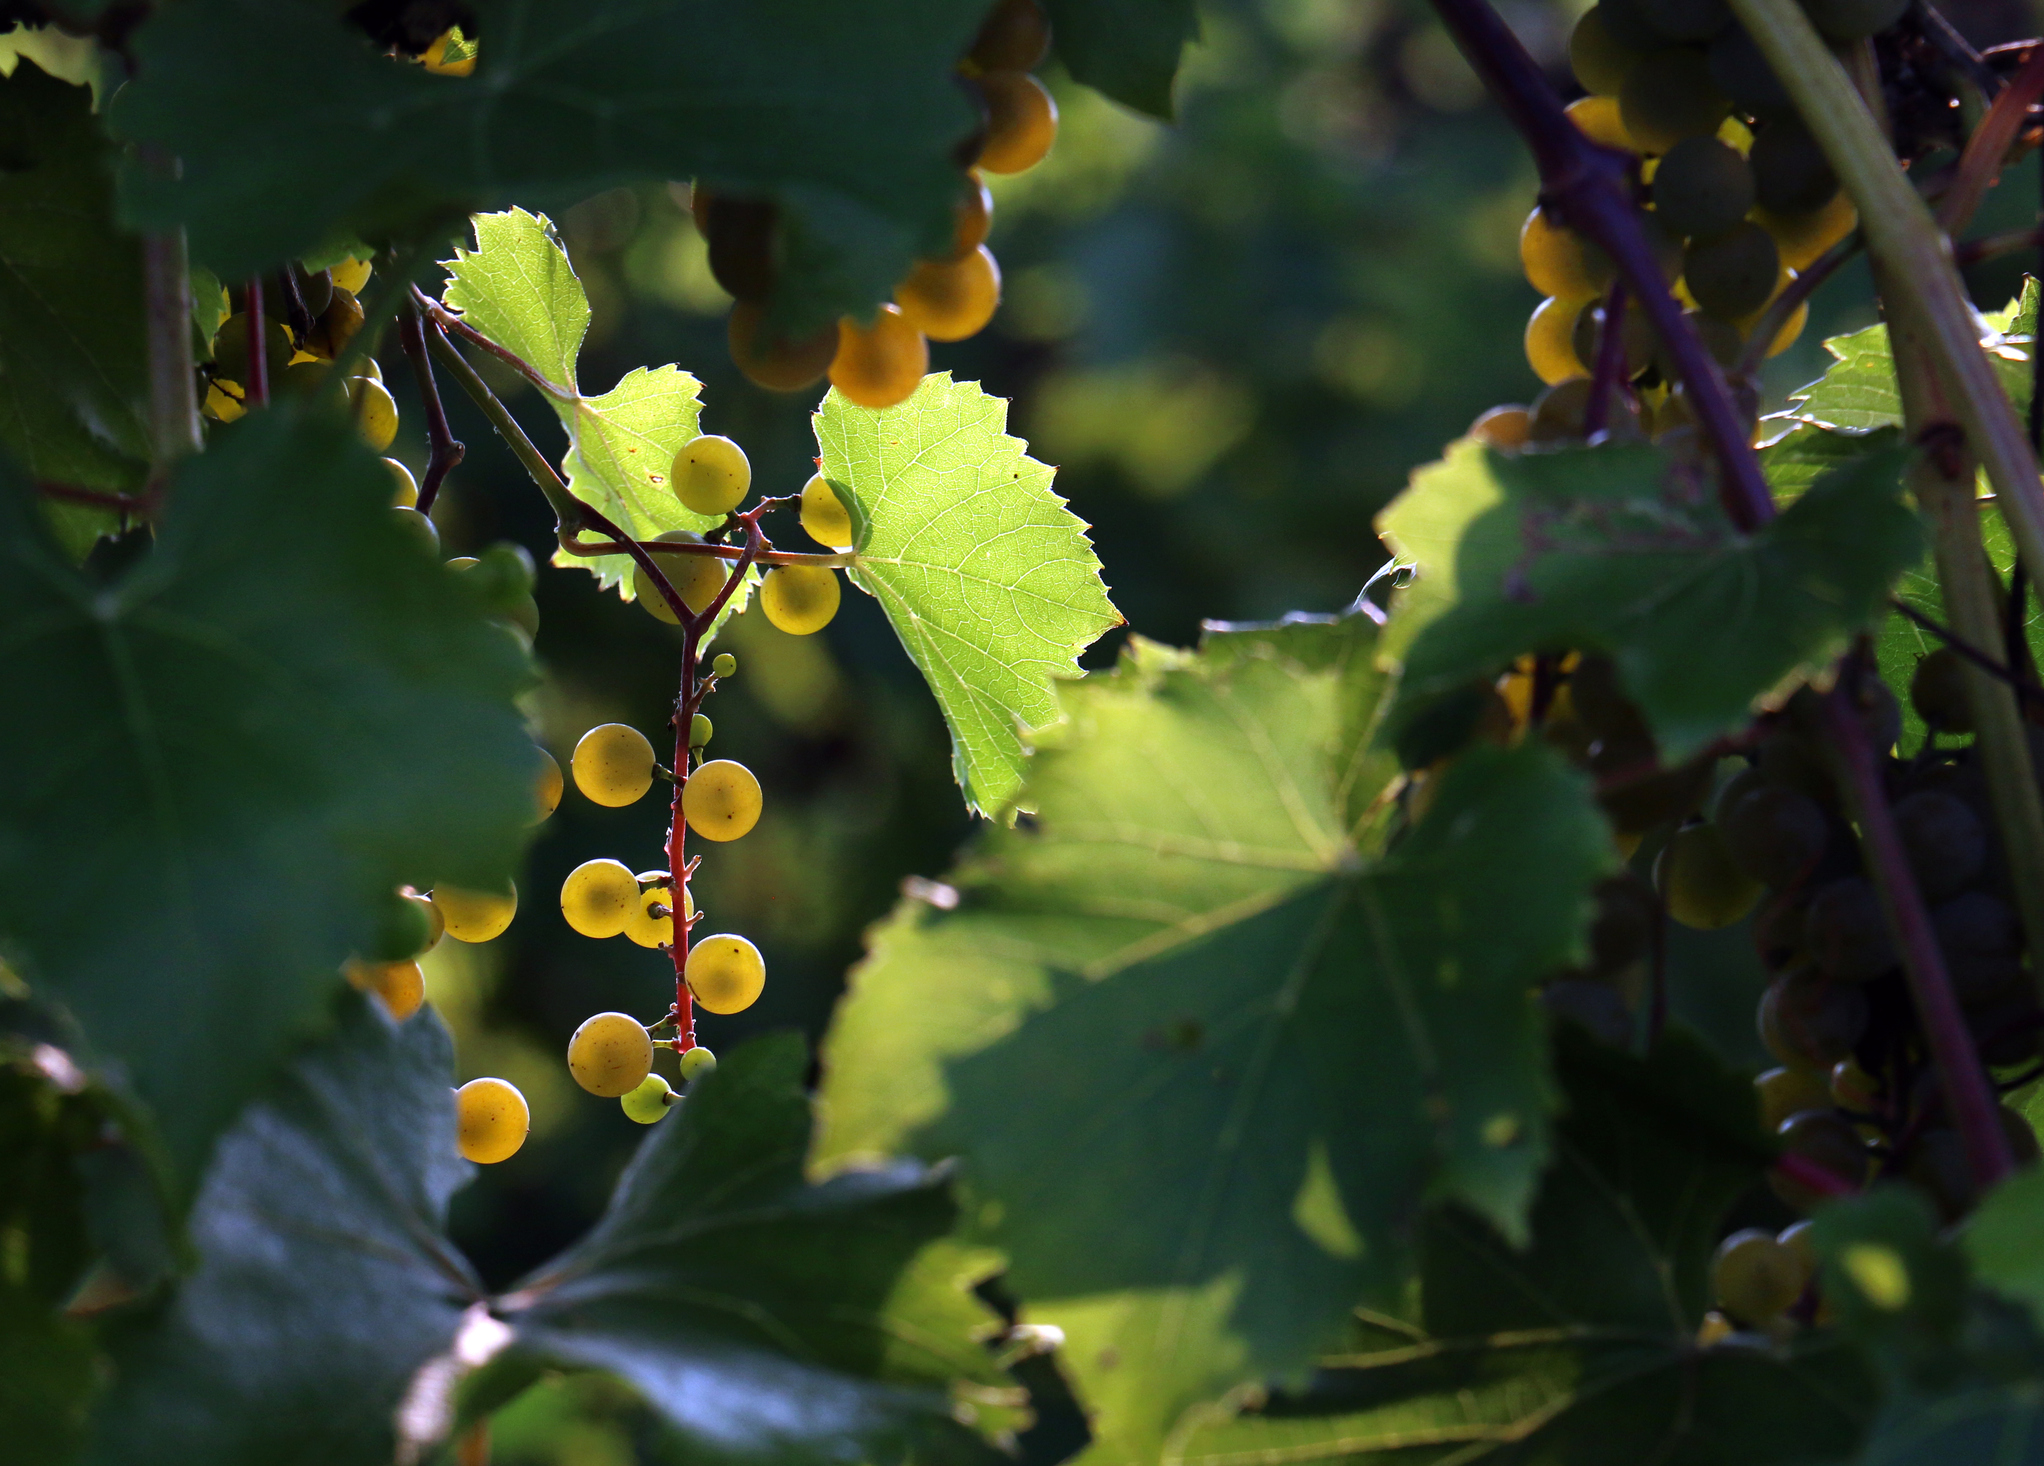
x=1234, y=336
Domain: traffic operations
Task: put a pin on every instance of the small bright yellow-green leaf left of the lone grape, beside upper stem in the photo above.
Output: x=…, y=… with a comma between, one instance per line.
x=520, y=291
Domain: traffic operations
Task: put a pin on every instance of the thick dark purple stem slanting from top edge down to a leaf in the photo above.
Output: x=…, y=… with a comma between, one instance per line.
x=1591, y=189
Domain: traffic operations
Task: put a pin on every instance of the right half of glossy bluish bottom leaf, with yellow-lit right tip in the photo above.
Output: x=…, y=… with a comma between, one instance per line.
x=761, y=1316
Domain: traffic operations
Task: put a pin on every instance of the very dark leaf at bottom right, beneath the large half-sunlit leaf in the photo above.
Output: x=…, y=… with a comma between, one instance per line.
x=1579, y=1348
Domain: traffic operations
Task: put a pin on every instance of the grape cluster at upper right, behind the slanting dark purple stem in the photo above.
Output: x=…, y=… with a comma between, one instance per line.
x=1734, y=197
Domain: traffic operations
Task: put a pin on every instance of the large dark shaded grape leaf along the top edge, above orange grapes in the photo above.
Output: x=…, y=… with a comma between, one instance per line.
x=849, y=116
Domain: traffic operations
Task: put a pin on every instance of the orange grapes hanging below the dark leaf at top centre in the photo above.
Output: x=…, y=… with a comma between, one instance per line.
x=945, y=297
